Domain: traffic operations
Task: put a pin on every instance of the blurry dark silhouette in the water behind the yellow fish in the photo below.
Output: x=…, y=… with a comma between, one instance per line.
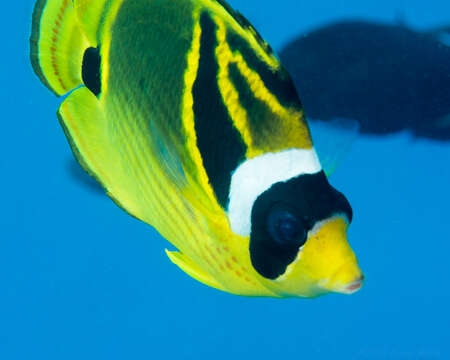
x=387, y=77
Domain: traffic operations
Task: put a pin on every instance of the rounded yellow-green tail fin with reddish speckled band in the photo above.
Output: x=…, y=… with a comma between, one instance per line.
x=57, y=45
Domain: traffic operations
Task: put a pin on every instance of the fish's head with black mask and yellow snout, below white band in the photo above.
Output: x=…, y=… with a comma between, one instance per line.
x=298, y=241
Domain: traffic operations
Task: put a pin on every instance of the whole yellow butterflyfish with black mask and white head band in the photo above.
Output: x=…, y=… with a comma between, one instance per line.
x=188, y=120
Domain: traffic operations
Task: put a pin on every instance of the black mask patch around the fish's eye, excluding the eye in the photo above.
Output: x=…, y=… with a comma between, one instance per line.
x=310, y=198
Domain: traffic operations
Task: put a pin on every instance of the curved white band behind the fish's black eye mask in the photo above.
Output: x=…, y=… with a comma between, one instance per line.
x=255, y=176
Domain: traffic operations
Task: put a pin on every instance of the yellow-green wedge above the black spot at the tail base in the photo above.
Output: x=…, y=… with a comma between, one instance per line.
x=89, y=14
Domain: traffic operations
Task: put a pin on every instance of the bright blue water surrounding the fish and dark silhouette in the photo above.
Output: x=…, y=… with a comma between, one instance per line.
x=80, y=279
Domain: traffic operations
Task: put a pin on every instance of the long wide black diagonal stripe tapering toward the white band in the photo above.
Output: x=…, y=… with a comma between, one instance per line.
x=220, y=144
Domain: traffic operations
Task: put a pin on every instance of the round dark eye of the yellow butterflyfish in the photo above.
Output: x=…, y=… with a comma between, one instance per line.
x=285, y=228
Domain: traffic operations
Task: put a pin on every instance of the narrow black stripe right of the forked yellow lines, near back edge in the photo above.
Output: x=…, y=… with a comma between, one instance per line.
x=279, y=83
